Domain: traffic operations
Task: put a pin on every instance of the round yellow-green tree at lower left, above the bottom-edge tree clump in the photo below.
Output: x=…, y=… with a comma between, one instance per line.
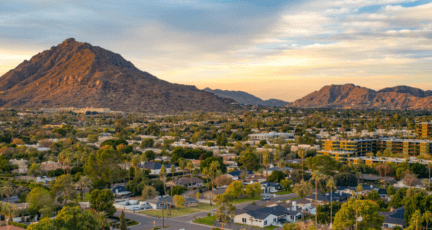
x=42, y=201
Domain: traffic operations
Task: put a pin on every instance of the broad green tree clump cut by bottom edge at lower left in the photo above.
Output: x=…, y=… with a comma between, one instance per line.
x=69, y=218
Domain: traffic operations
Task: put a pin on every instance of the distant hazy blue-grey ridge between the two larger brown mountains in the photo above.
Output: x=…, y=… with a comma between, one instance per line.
x=246, y=98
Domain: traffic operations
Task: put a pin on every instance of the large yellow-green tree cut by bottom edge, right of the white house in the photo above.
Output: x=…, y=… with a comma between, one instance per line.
x=346, y=217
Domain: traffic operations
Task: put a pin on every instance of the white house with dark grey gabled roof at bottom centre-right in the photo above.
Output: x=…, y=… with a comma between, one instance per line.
x=259, y=216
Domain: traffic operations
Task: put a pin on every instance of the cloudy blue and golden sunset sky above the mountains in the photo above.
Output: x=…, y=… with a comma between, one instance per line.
x=270, y=48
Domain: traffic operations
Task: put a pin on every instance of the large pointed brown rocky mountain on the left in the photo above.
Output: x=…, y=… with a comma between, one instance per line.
x=75, y=74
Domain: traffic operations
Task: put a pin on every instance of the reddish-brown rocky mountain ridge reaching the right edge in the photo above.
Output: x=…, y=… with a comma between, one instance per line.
x=356, y=97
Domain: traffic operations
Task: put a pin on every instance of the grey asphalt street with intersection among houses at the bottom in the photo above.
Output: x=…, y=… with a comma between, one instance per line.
x=185, y=222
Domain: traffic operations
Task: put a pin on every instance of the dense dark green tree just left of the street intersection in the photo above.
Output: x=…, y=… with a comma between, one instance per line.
x=102, y=200
